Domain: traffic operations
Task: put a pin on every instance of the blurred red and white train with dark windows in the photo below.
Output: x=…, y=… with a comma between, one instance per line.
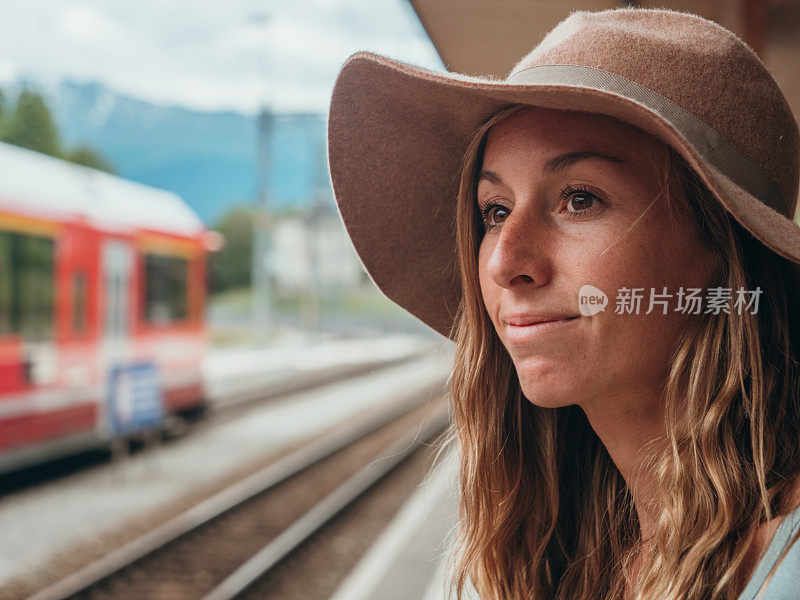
x=102, y=292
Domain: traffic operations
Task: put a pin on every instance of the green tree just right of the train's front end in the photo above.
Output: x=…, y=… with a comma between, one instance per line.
x=231, y=266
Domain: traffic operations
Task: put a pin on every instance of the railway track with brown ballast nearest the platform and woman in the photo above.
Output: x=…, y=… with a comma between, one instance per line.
x=220, y=547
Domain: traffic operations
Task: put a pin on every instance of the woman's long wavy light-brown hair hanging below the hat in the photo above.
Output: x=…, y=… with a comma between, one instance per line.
x=543, y=511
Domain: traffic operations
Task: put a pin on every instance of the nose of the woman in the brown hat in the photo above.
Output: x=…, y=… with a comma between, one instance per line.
x=520, y=253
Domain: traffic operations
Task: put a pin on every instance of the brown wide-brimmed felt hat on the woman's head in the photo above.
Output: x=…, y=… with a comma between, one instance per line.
x=397, y=135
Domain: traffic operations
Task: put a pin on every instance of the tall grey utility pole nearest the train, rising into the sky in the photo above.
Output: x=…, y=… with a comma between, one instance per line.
x=262, y=306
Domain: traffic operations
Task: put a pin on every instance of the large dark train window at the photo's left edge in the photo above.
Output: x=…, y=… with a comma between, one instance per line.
x=26, y=285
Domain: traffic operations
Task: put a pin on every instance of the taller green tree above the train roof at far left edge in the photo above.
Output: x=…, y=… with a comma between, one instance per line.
x=31, y=125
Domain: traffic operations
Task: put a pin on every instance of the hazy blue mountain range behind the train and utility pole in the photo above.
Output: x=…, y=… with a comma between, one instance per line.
x=208, y=158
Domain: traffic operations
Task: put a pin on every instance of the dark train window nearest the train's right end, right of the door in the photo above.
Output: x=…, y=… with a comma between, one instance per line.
x=165, y=288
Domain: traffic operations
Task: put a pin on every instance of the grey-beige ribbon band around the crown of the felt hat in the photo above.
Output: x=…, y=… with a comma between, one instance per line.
x=709, y=143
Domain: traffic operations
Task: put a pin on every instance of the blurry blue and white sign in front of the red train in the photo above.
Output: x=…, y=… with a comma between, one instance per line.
x=134, y=398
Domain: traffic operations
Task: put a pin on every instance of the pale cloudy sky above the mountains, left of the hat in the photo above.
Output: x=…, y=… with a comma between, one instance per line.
x=206, y=54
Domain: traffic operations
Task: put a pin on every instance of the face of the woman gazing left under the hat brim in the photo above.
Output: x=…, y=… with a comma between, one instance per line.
x=572, y=199
